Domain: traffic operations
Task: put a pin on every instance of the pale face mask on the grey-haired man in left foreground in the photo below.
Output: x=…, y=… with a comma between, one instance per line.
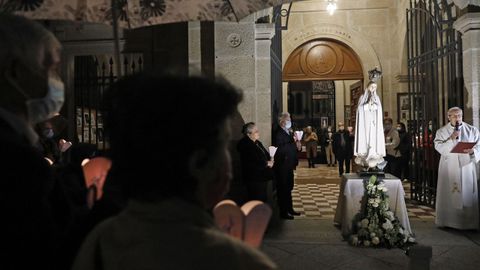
x=41, y=109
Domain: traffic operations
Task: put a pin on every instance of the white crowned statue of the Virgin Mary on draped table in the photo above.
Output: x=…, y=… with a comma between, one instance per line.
x=369, y=148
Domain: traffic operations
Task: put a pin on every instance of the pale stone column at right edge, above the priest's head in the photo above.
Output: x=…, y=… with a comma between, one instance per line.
x=469, y=26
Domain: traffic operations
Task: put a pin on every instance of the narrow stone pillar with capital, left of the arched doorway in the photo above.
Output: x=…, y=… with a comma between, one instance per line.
x=264, y=32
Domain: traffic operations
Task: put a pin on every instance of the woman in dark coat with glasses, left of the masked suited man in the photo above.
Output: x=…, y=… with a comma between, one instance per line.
x=256, y=163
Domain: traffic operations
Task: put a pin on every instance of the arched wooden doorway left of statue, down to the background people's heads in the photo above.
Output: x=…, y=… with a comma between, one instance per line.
x=325, y=79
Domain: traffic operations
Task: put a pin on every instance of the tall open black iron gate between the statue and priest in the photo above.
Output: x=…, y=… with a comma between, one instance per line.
x=435, y=83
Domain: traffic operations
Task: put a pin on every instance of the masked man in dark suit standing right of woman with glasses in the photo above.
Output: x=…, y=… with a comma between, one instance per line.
x=285, y=163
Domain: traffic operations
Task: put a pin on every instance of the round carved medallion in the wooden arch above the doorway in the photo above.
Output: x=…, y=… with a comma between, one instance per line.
x=321, y=59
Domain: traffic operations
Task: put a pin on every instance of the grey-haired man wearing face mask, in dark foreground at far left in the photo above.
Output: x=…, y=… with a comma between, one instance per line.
x=30, y=92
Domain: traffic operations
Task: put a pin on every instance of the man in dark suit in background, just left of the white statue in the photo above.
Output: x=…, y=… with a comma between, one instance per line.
x=342, y=148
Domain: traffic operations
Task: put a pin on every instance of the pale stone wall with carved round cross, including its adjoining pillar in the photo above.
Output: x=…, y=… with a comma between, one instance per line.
x=242, y=56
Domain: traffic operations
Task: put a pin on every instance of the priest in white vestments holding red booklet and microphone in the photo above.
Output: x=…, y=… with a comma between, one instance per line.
x=457, y=187
